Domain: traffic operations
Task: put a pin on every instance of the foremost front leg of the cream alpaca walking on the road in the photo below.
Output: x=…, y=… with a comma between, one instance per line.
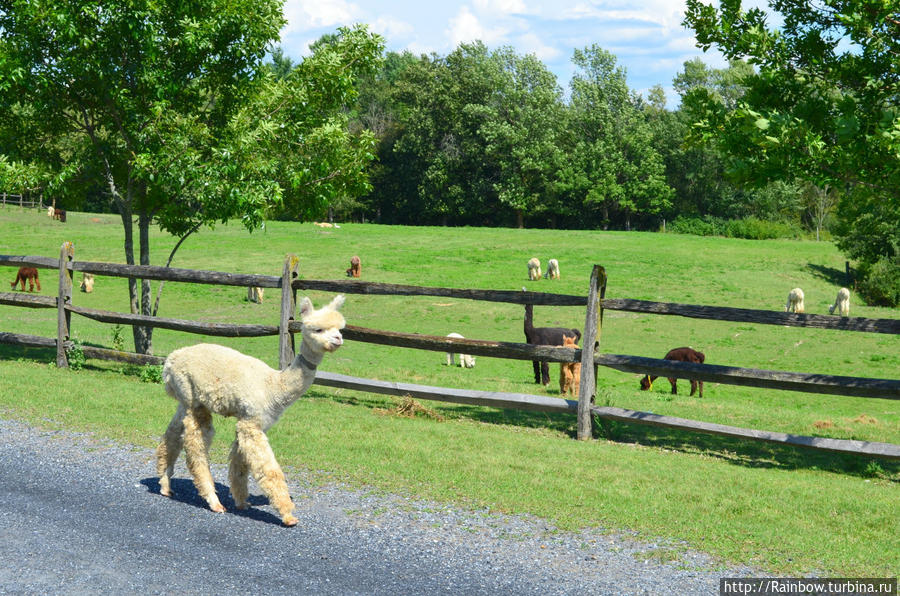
x=257, y=453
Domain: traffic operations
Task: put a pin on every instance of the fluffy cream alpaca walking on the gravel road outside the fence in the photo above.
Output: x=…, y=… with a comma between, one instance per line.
x=208, y=378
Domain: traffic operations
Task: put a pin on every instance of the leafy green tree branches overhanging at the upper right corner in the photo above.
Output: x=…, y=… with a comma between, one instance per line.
x=822, y=106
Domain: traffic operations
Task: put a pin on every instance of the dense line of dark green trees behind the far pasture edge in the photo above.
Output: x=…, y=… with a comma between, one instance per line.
x=489, y=137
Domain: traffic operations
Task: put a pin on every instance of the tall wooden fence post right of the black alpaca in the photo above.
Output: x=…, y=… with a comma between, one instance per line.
x=590, y=342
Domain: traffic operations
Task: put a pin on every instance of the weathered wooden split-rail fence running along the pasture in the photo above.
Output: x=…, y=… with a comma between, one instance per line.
x=595, y=302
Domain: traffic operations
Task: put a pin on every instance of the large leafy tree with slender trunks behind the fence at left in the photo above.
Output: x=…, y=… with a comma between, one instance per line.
x=169, y=106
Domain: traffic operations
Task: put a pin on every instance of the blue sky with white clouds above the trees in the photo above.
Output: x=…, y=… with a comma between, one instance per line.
x=646, y=36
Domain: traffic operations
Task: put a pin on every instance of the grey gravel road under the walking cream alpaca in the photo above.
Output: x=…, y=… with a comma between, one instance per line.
x=81, y=515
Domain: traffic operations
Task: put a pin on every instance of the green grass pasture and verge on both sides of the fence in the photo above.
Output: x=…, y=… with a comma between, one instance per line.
x=783, y=510
